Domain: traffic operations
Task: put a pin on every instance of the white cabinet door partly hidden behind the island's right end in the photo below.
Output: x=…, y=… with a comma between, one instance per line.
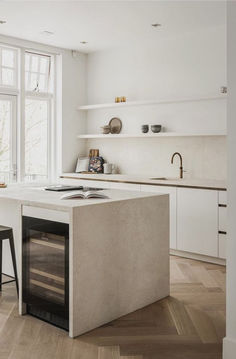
x=172, y=201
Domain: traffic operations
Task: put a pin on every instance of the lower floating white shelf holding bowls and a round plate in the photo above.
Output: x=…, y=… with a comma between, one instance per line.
x=152, y=135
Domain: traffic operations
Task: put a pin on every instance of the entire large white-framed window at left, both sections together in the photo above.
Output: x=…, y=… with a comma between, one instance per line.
x=26, y=106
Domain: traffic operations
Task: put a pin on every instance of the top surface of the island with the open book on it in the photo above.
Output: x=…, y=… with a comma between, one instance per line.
x=35, y=195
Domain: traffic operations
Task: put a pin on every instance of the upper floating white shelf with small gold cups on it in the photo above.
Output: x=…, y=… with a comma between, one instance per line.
x=151, y=102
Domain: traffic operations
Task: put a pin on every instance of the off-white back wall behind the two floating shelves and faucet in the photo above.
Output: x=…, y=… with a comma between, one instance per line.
x=193, y=64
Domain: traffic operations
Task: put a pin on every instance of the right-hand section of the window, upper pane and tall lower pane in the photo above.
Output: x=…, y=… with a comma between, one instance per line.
x=37, y=115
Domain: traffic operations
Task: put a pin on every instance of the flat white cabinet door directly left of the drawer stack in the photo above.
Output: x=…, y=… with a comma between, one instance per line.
x=197, y=221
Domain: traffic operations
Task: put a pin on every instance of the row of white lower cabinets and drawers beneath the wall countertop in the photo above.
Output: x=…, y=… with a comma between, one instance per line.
x=197, y=216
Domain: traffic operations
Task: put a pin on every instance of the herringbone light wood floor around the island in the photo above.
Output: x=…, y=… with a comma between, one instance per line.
x=190, y=324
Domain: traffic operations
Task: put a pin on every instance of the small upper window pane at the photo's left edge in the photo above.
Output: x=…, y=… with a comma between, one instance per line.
x=8, y=67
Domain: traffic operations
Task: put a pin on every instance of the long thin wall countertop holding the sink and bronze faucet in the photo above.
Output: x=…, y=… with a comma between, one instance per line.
x=135, y=179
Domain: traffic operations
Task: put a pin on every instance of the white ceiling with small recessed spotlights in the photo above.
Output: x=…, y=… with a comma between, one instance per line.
x=106, y=24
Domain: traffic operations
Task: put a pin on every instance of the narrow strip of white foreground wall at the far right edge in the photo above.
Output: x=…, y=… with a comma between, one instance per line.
x=230, y=340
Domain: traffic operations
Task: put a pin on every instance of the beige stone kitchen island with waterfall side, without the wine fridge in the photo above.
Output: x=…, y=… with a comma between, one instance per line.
x=117, y=247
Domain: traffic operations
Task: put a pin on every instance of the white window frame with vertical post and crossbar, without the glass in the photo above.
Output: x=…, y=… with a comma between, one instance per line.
x=21, y=94
